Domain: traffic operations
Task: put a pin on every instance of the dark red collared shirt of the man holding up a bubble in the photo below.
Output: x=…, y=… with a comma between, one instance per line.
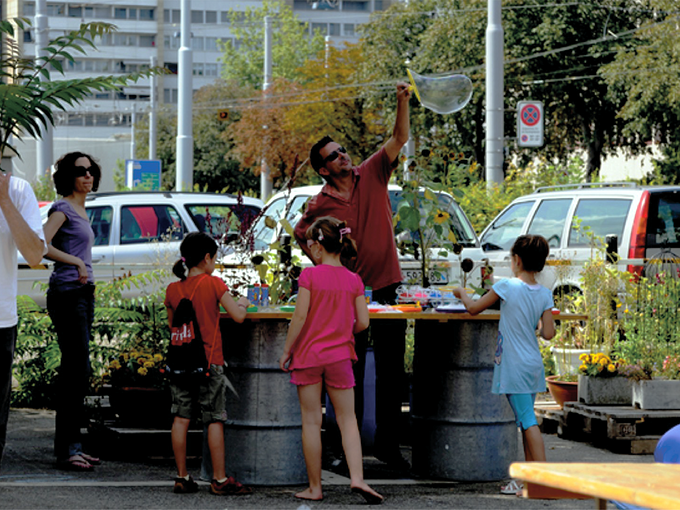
x=369, y=214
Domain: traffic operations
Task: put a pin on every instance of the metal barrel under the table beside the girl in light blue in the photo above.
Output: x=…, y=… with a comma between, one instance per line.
x=461, y=431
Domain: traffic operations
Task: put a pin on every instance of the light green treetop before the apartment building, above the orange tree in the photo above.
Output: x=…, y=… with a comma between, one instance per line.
x=243, y=60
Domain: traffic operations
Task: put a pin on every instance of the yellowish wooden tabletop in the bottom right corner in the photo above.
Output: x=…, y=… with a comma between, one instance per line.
x=647, y=485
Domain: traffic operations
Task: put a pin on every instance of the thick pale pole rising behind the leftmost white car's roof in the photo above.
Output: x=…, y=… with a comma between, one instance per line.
x=184, y=180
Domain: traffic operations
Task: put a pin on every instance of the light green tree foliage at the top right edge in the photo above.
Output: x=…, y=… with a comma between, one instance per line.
x=649, y=78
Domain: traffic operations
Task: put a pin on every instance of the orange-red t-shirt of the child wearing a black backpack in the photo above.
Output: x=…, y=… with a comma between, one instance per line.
x=206, y=301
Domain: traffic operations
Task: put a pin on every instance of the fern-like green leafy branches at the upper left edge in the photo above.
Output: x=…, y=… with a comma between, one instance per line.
x=28, y=94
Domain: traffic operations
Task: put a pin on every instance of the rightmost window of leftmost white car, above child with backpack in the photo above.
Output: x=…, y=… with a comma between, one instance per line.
x=218, y=219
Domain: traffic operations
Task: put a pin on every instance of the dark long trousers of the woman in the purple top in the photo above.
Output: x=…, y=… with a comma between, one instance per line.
x=72, y=313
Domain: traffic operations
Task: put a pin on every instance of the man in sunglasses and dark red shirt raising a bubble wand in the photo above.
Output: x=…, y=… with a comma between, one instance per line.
x=358, y=195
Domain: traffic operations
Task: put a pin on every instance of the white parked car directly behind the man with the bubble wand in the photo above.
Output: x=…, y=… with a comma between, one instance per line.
x=290, y=205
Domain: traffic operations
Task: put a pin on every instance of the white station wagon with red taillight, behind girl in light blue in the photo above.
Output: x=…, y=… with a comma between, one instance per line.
x=645, y=219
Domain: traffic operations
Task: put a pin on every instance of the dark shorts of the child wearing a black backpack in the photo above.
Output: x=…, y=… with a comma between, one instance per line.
x=210, y=397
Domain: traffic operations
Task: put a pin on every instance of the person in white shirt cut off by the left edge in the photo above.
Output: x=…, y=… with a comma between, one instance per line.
x=20, y=228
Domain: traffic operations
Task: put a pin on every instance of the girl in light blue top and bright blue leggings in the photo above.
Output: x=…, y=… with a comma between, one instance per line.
x=518, y=369
